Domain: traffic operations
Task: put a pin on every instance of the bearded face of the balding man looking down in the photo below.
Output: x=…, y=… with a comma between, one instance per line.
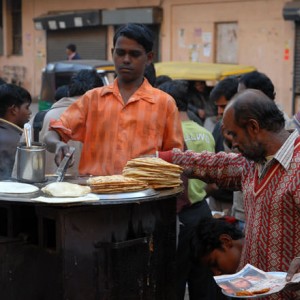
x=240, y=139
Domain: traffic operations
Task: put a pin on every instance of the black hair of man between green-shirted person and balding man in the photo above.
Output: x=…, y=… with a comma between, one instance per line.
x=227, y=87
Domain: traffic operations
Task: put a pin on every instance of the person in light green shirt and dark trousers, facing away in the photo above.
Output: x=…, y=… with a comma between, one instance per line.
x=192, y=205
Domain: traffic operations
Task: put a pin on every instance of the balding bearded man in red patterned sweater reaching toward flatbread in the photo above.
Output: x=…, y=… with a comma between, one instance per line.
x=266, y=170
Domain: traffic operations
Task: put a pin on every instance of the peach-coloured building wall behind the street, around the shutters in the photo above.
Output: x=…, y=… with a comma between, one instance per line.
x=265, y=40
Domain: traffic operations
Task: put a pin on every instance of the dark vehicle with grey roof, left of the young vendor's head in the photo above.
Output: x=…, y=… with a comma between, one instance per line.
x=59, y=73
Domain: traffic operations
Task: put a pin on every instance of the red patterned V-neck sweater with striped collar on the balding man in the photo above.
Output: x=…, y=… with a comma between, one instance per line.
x=272, y=201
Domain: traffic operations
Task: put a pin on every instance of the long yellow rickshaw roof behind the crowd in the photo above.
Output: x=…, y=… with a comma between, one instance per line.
x=200, y=71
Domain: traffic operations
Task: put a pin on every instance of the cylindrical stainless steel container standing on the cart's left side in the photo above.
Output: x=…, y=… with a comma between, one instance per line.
x=31, y=162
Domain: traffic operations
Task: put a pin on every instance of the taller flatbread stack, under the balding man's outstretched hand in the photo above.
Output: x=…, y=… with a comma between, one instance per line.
x=155, y=171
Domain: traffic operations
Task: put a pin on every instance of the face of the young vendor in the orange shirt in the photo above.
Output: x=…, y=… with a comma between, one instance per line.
x=130, y=59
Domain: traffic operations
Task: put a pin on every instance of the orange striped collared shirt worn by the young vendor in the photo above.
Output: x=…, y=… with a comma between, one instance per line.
x=113, y=132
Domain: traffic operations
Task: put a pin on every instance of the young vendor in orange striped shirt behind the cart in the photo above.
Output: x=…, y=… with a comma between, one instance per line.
x=126, y=119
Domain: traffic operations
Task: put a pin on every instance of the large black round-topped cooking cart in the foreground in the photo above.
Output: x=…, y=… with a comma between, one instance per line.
x=114, y=248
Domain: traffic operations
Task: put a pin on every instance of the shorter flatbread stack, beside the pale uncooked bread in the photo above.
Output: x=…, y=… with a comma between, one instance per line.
x=115, y=184
